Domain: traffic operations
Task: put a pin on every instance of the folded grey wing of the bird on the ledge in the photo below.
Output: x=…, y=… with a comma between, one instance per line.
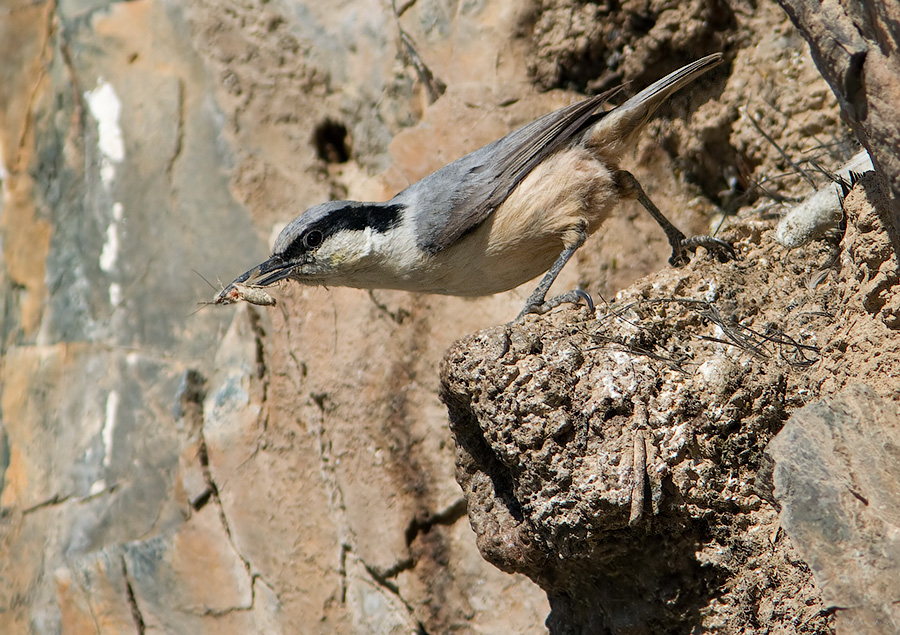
x=458, y=197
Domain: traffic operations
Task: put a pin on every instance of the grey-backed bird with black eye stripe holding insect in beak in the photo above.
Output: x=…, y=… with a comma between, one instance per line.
x=500, y=216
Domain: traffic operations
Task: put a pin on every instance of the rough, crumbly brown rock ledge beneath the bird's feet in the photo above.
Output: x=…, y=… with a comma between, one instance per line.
x=618, y=460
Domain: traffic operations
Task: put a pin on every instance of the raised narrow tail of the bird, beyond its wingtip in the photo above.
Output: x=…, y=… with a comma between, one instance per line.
x=613, y=134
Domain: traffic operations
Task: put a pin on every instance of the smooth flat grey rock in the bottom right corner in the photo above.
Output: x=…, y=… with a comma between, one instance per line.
x=837, y=479
